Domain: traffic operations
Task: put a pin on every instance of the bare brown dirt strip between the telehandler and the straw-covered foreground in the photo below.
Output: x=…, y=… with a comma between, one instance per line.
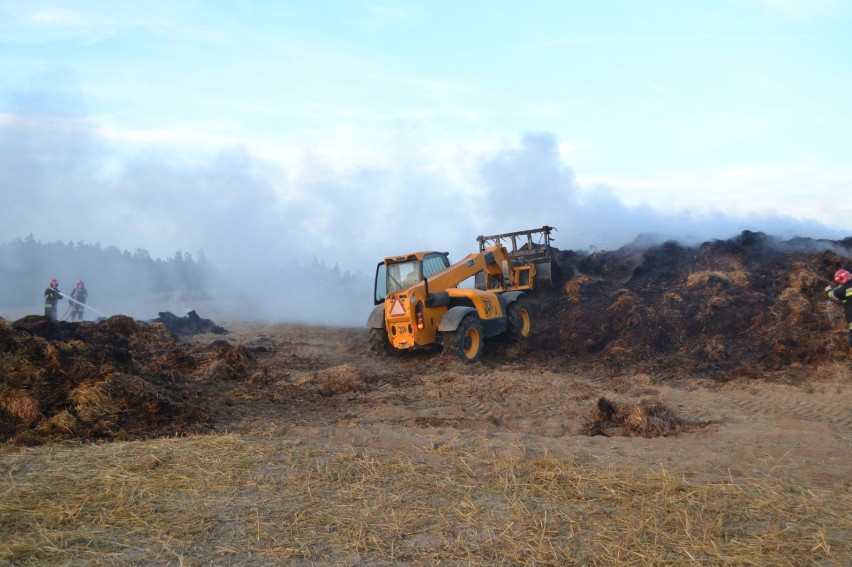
x=324, y=386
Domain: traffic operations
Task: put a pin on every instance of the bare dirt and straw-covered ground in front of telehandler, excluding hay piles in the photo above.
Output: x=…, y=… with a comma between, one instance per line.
x=325, y=453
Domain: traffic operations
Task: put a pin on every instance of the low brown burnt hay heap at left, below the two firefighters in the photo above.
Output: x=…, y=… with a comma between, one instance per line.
x=115, y=379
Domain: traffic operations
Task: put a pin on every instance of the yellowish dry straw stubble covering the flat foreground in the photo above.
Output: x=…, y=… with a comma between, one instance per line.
x=227, y=500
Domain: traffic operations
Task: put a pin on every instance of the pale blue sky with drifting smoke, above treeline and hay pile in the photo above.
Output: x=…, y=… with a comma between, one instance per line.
x=351, y=130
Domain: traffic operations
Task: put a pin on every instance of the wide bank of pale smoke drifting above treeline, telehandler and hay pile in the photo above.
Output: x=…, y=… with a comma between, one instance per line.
x=299, y=238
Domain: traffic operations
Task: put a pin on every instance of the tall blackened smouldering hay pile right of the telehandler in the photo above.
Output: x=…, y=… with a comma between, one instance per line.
x=740, y=307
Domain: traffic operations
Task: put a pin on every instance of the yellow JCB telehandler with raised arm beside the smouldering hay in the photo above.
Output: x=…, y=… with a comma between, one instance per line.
x=418, y=303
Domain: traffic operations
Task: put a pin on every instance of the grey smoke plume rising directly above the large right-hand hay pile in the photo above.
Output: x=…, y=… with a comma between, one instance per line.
x=530, y=180
